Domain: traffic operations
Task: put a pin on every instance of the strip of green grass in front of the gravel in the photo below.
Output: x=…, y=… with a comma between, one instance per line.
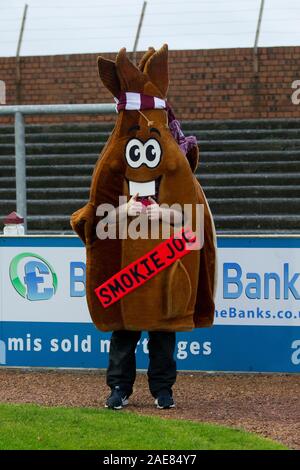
x=39, y=427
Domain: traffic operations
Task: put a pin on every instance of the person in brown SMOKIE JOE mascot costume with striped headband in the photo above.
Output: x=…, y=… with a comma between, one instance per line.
x=148, y=160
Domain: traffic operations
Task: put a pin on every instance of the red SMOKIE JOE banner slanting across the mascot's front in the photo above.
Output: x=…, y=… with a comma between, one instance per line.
x=140, y=271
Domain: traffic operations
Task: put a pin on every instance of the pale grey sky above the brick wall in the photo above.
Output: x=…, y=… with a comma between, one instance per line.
x=82, y=26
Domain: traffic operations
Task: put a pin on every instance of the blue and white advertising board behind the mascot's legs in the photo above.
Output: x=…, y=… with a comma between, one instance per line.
x=44, y=321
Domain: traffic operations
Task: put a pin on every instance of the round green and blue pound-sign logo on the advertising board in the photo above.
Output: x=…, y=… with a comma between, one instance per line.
x=38, y=282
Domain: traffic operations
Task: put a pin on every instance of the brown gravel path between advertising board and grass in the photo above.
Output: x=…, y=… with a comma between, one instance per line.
x=266, y=404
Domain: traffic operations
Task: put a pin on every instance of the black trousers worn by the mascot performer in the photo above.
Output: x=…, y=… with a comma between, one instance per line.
x=122, y=365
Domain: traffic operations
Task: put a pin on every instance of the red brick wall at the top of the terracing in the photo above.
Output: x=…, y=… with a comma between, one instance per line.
x=204, y=84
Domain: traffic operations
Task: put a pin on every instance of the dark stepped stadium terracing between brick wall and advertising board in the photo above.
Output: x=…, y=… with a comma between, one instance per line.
x=249, y=169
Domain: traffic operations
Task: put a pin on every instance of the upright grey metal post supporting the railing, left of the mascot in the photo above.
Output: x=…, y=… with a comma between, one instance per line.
x=20, y=167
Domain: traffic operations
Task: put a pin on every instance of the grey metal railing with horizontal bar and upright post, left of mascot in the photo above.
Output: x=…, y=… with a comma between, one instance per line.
x=19, y=112
